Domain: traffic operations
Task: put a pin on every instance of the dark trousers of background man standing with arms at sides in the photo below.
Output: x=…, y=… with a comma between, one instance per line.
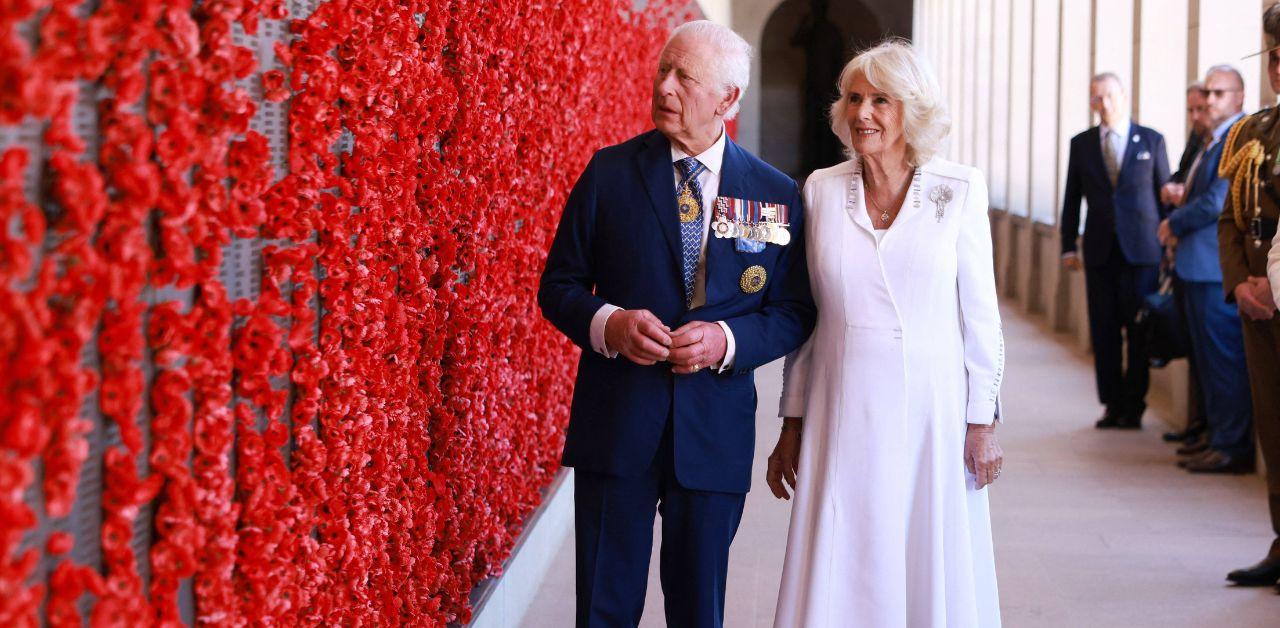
x=1114, y=292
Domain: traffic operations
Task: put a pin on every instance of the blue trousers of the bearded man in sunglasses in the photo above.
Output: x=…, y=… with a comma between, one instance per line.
x=1219, y=346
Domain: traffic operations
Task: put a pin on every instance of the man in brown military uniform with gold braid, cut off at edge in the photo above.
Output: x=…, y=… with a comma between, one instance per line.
x=1251, y=161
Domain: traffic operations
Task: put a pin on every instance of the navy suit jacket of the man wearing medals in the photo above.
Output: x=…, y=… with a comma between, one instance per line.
x=619, y=242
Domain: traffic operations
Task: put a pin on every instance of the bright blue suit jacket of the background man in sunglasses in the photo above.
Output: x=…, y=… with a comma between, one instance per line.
x=1196, y=222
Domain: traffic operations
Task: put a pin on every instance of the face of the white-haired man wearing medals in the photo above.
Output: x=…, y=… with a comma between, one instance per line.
x=688, y=99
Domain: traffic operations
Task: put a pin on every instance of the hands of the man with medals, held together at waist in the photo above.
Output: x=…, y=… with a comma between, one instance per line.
x=642, y=338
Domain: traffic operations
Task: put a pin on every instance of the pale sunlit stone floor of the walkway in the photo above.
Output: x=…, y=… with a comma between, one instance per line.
x=1092, y=529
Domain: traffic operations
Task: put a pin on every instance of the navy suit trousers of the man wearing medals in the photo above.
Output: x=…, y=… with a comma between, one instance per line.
x=614, y=535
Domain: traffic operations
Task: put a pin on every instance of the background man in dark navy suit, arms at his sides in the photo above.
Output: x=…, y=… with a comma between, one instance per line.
x=1119, y=168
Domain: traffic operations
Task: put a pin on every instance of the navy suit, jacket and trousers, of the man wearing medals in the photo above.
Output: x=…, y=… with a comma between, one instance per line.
x=642, y=438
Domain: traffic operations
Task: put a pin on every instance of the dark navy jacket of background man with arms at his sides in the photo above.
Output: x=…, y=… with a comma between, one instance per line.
x=1130, y=212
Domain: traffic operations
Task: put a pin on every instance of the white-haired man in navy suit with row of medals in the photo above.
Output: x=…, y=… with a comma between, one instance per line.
x=634, y=272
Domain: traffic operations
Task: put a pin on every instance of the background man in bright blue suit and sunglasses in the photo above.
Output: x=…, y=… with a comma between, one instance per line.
x=1214, y=324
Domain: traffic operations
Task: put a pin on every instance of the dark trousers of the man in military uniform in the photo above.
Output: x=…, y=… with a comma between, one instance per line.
x=1263, y=350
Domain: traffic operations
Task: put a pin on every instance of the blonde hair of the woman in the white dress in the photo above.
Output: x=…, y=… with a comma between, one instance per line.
x=895, y=68
